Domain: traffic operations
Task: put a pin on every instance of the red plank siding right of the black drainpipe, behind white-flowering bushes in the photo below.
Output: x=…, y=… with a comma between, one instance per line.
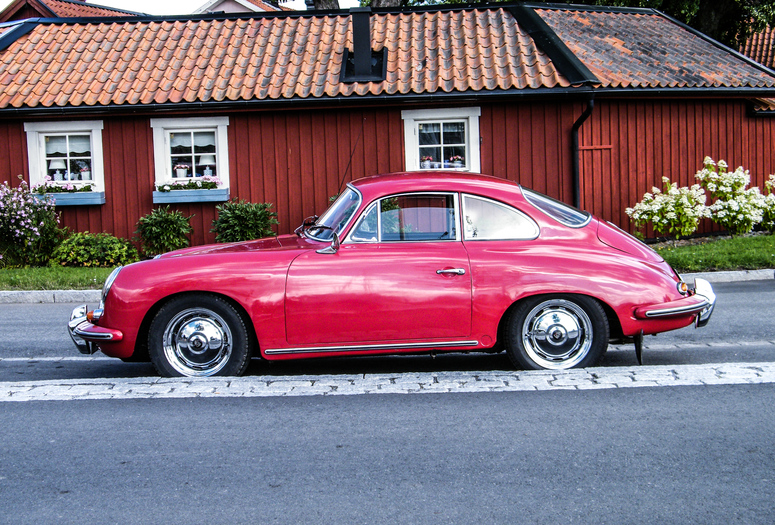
x=627, y=146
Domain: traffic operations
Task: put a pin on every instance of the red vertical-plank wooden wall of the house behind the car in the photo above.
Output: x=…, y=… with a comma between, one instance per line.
x=298, y=159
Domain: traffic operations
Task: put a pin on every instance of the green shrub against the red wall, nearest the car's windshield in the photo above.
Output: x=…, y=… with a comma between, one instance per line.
x=243, y=221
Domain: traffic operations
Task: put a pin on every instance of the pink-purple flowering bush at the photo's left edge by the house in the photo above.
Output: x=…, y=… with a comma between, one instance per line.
x=29, y=230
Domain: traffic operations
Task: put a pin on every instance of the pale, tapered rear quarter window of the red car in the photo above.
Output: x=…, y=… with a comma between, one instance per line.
x=487, y=220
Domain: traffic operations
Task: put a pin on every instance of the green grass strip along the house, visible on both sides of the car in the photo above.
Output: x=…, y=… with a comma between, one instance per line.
x=695, y=255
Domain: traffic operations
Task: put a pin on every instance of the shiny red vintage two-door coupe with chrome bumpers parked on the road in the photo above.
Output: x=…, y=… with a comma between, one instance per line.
x=400, y=263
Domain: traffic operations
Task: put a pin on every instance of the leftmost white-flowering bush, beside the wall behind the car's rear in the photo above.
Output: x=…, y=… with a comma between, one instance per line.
x=676, y=211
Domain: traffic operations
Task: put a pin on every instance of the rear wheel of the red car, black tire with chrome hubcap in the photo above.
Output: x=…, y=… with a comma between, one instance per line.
x=557, y=332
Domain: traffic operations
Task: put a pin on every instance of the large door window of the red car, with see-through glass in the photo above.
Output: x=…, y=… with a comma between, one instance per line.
x=418, y=217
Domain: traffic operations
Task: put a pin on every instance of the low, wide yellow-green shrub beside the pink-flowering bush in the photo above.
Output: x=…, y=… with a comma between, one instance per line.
x=94, y=250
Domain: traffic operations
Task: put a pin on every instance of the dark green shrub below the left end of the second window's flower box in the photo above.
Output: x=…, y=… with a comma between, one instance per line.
x=163, y=230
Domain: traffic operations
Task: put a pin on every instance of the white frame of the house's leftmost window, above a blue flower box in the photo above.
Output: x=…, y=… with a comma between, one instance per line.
x=36, y=150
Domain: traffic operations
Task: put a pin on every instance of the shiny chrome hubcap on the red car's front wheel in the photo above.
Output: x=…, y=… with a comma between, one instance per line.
x=197, y=342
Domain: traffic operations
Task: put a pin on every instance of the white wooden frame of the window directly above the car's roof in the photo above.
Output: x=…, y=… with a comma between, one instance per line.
x=412, y=119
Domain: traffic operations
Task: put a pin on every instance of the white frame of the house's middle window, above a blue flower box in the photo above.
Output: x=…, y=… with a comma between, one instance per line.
x=161, y=148
